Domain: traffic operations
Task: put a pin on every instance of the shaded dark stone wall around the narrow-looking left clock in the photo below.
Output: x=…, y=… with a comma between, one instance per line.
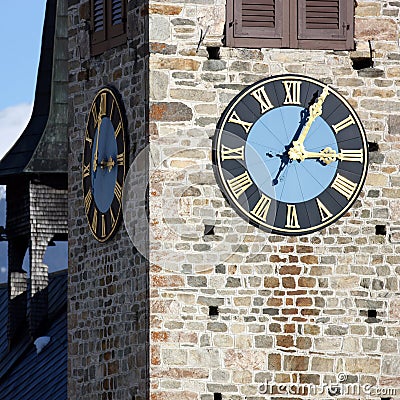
x=107, y=289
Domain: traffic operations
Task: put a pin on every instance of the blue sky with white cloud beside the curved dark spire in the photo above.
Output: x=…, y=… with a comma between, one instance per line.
x=20, y=39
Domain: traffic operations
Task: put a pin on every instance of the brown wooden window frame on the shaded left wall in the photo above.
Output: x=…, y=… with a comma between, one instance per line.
x=111, y=35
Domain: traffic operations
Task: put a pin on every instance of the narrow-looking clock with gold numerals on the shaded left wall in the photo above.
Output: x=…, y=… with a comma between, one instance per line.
x=104, y=163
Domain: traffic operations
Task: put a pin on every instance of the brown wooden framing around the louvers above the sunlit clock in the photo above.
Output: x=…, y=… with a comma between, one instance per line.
x=290, y=28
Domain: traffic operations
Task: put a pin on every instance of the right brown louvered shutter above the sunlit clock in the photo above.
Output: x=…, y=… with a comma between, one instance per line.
x=325, y=24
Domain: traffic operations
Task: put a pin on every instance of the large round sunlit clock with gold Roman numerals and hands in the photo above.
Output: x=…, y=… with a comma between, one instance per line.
x=290, y=154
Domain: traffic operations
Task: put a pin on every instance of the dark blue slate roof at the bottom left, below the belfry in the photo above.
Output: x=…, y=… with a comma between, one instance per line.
x=26, y=375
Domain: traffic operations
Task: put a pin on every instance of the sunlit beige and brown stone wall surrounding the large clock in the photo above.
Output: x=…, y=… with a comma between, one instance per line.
x=297, y=310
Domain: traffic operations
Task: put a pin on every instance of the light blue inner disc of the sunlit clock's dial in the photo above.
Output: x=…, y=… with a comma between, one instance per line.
x=291, y=184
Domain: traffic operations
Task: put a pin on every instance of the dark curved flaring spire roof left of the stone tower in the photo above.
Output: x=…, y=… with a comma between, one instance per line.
x=42, y=147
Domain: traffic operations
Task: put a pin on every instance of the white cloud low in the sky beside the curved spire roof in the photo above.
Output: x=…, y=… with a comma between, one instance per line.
x=13, y=120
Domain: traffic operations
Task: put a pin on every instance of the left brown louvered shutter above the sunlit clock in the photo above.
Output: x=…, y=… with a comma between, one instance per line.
x=257, y=23
